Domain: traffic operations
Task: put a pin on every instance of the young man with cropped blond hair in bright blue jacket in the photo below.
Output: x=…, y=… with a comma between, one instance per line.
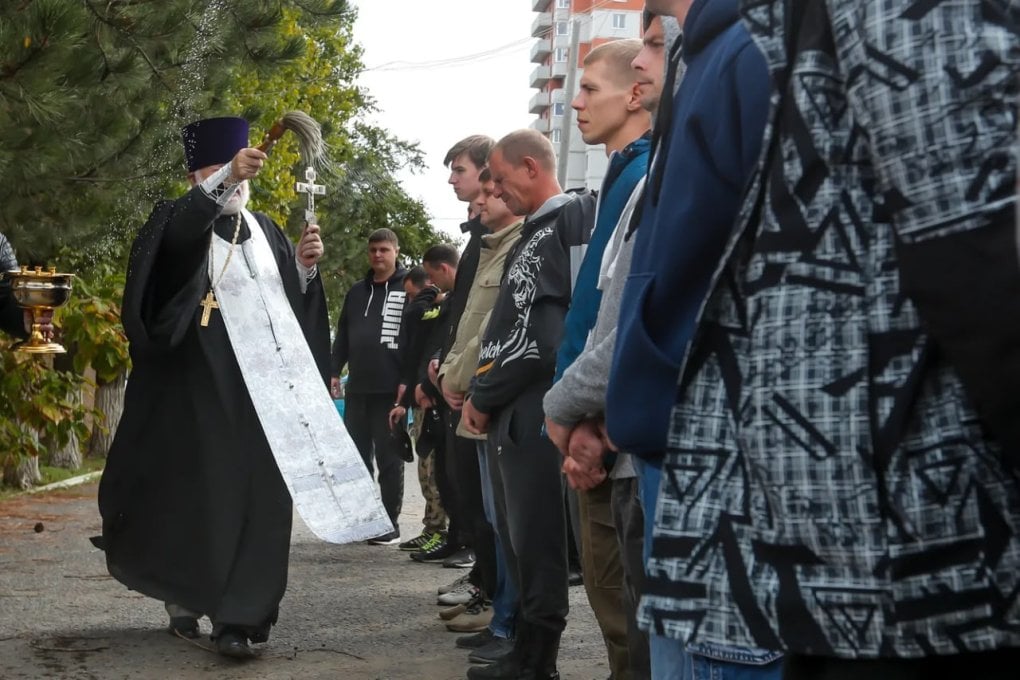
x=609, y=113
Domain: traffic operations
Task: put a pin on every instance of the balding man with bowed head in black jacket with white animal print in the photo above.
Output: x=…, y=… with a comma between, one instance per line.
x=517, y=362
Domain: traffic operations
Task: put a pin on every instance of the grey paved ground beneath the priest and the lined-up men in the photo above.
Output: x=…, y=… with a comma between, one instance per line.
x=351, y=611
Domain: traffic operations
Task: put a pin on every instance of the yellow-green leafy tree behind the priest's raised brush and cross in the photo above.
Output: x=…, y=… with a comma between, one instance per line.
x=363, y=194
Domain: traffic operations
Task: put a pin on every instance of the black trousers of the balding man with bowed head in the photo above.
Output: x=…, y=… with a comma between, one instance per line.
x=529, y=492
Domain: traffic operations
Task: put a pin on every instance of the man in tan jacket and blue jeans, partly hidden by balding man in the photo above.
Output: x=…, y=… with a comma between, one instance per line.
x=455, y=378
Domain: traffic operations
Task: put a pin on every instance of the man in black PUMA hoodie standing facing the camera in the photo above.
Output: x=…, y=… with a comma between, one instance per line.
x=369, y=343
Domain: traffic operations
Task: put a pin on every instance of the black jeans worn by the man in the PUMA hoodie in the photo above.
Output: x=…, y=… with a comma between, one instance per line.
x=368, y=421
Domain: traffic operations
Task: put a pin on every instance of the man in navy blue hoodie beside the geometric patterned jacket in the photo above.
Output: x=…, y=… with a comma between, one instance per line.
x=708, y=138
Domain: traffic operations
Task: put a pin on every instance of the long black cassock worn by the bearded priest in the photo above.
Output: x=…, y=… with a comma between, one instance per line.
x=195, y=511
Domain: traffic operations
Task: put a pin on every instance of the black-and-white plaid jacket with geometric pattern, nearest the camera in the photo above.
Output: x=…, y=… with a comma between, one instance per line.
x=842, y=477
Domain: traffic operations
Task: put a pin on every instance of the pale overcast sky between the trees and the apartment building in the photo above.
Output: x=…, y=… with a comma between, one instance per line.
x=484, y=91
